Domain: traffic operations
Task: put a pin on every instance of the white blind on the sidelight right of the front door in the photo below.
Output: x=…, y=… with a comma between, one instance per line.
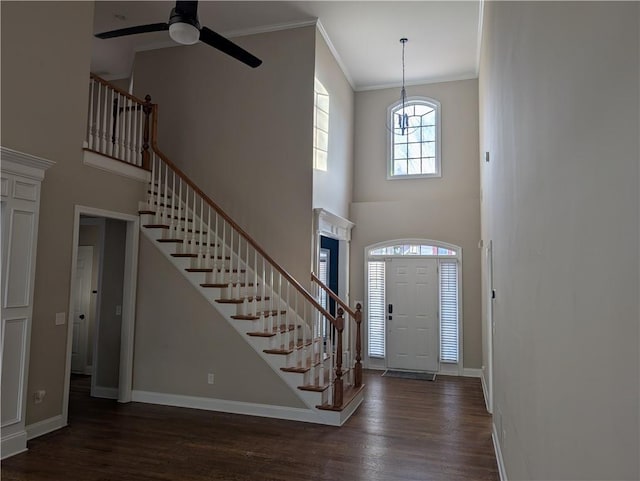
x=448, y=311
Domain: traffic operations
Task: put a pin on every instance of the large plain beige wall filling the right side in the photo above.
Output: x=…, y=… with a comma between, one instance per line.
x=559, y=89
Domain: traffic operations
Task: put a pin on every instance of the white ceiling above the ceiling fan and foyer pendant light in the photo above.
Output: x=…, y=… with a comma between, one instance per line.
x=364, y=35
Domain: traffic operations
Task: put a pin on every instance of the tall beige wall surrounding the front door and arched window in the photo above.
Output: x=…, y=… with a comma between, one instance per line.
x=445, y=209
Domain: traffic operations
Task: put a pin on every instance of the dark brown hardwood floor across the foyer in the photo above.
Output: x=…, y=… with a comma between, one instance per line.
x=404, y=430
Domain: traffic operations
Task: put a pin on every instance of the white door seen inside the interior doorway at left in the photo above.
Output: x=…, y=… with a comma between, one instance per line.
x=81, y=311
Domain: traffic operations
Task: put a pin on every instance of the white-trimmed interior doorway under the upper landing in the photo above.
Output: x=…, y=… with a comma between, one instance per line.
x=102, y=303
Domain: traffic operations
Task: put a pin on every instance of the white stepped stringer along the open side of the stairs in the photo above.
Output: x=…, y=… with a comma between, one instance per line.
x=310, y=398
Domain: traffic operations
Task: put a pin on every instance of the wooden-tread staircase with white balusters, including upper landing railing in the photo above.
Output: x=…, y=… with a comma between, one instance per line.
x=286, y=325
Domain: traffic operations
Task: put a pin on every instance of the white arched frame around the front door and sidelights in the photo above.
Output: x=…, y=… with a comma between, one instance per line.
x=370, y=363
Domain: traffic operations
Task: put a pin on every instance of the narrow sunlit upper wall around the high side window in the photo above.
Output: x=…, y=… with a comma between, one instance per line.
x=332, y=189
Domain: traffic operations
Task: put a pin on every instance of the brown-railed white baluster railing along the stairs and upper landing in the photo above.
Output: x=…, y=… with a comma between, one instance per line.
x=124, y=127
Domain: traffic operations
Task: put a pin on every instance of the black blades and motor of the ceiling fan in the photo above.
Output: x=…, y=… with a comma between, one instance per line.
x=185, y=29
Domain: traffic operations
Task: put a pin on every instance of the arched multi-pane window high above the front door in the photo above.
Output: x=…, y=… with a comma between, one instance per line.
x=414, y=138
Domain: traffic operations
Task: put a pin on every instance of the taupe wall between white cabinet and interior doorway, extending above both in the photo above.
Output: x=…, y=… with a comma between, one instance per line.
x=44, y=107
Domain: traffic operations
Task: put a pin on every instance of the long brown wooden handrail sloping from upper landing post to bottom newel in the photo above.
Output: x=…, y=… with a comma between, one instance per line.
x=249, y=239
